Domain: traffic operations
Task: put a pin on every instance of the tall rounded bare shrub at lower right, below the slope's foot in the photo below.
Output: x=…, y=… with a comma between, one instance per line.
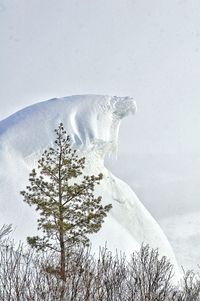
x=149, y=276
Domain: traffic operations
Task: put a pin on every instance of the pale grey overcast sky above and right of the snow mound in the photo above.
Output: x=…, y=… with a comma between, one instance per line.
x=147, y=49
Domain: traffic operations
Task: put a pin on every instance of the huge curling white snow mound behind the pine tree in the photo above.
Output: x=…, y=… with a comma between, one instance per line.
x=93, y=122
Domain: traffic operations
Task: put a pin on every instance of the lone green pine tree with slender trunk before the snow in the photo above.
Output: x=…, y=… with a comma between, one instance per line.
x=64, y=198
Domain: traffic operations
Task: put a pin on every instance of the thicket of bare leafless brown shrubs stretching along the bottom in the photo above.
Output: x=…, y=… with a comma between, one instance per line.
x=27, y=275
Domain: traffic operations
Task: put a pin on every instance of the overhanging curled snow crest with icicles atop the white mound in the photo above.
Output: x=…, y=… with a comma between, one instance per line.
x=91, y=120
